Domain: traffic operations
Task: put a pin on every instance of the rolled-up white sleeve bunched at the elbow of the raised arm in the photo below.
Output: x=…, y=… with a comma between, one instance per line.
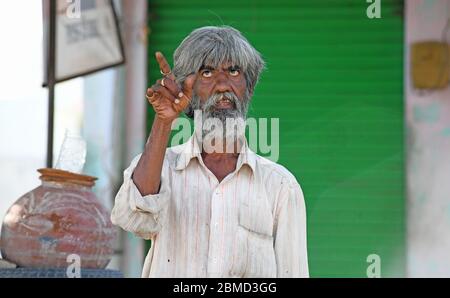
x=141, y=215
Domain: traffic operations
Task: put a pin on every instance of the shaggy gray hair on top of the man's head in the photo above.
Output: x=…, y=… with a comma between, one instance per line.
x=214, y=46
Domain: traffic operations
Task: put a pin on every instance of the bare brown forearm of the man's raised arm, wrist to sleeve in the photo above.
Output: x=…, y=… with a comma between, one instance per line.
x=147, y=174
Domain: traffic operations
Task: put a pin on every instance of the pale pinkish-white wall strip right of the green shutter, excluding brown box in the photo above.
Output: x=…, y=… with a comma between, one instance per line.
x=428, y=131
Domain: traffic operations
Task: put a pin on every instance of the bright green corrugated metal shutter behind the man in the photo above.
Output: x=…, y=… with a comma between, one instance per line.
x=335, y=80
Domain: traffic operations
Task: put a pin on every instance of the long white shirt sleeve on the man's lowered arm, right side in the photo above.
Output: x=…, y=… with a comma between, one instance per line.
x=290, y=233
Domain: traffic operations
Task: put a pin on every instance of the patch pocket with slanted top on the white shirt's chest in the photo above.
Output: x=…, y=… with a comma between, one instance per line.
x=254, y=256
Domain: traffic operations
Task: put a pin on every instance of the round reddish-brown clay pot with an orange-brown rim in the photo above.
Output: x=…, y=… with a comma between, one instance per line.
x=59, y=218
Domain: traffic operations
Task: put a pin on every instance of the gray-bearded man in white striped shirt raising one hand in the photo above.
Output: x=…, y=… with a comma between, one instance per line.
x=211, y=212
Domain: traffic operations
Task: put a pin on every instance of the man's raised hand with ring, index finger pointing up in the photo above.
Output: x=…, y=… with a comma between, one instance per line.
x=166, y=97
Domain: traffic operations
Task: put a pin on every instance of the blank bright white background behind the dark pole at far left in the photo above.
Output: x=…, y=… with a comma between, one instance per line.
x=23, y=102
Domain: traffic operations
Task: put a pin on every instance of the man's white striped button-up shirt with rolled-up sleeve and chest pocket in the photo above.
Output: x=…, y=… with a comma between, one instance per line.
x=251, y=224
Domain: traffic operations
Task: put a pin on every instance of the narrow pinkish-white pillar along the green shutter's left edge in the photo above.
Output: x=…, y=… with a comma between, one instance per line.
x=135, y=75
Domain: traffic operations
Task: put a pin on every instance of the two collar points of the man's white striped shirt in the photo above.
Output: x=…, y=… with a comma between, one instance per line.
x=191, y=149
